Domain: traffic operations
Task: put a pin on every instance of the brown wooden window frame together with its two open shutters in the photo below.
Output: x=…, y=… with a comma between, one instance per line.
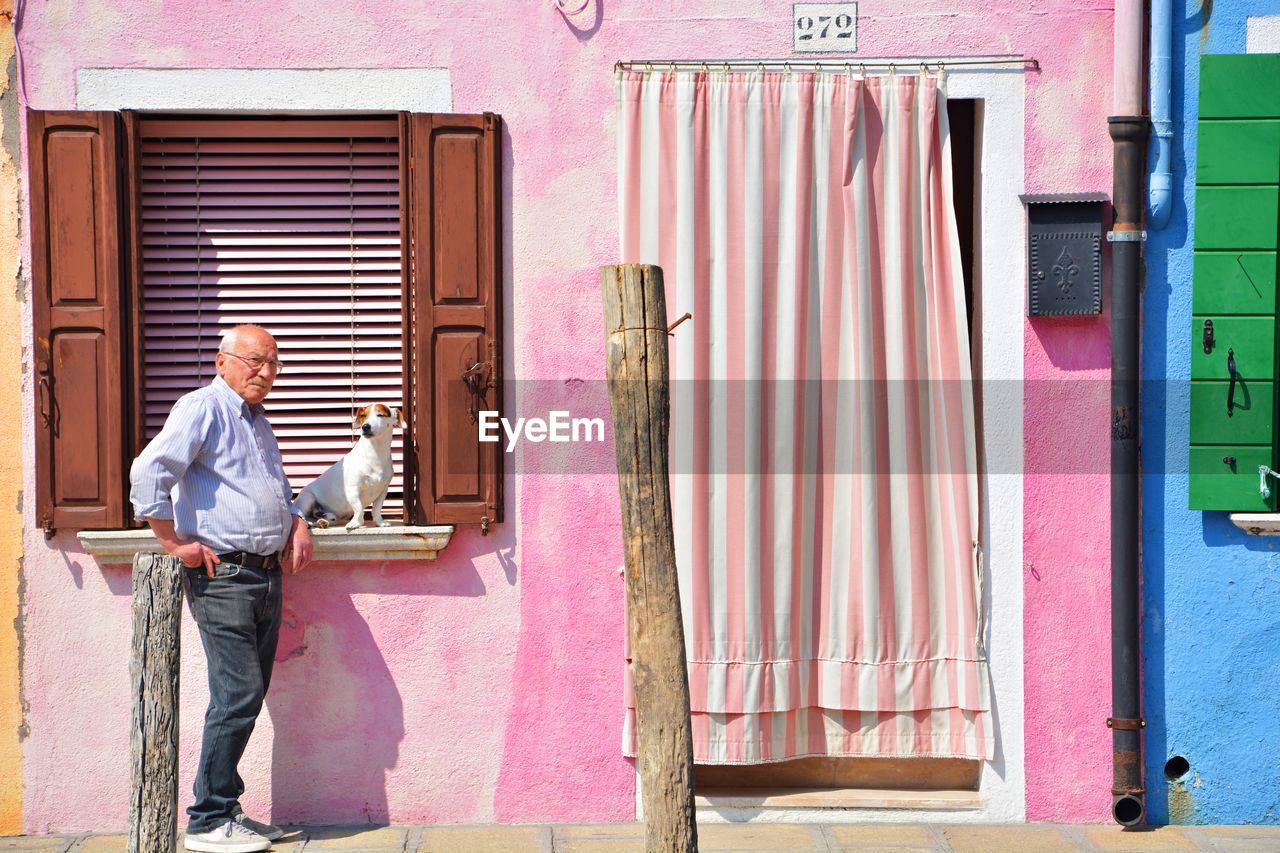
x=442, y=446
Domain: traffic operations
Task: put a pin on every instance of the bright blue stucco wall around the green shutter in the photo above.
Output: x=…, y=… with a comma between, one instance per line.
x=1212, y=597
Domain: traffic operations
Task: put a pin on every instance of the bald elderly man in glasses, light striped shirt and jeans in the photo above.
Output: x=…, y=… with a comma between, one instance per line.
x=234, y=527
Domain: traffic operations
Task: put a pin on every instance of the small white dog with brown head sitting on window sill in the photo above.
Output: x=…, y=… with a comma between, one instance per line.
x=342, y=492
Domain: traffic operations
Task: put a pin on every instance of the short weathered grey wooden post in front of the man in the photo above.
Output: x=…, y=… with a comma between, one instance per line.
x=154, y=678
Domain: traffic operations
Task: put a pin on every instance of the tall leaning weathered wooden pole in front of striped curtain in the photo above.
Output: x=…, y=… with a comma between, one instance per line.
x=636, y=323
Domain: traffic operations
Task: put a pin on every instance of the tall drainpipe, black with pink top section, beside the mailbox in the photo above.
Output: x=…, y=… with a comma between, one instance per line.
x=1128, y=130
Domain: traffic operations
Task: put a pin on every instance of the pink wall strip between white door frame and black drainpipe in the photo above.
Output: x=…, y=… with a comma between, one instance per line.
x=1067, y=489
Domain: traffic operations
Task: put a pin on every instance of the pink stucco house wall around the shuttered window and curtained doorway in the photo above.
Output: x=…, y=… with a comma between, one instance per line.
x=487, y=686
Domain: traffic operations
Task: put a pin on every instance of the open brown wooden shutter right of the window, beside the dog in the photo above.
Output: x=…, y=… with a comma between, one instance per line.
x=455, y=168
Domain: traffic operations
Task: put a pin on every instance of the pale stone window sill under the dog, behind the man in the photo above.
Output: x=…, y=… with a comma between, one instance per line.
x=364, y=545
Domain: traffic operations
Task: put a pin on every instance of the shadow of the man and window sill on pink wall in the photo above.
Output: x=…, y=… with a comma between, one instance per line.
x=337, y=714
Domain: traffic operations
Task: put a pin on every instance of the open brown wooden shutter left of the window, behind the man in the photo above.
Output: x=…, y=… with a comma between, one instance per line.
x=76, y=271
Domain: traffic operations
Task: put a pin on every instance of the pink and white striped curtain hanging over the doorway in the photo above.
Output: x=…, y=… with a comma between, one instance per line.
x=824, y=453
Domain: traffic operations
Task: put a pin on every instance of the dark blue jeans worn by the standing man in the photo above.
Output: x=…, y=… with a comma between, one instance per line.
x=239, y=615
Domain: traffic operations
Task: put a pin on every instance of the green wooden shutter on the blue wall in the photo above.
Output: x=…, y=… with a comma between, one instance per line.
x=1237, y=198
